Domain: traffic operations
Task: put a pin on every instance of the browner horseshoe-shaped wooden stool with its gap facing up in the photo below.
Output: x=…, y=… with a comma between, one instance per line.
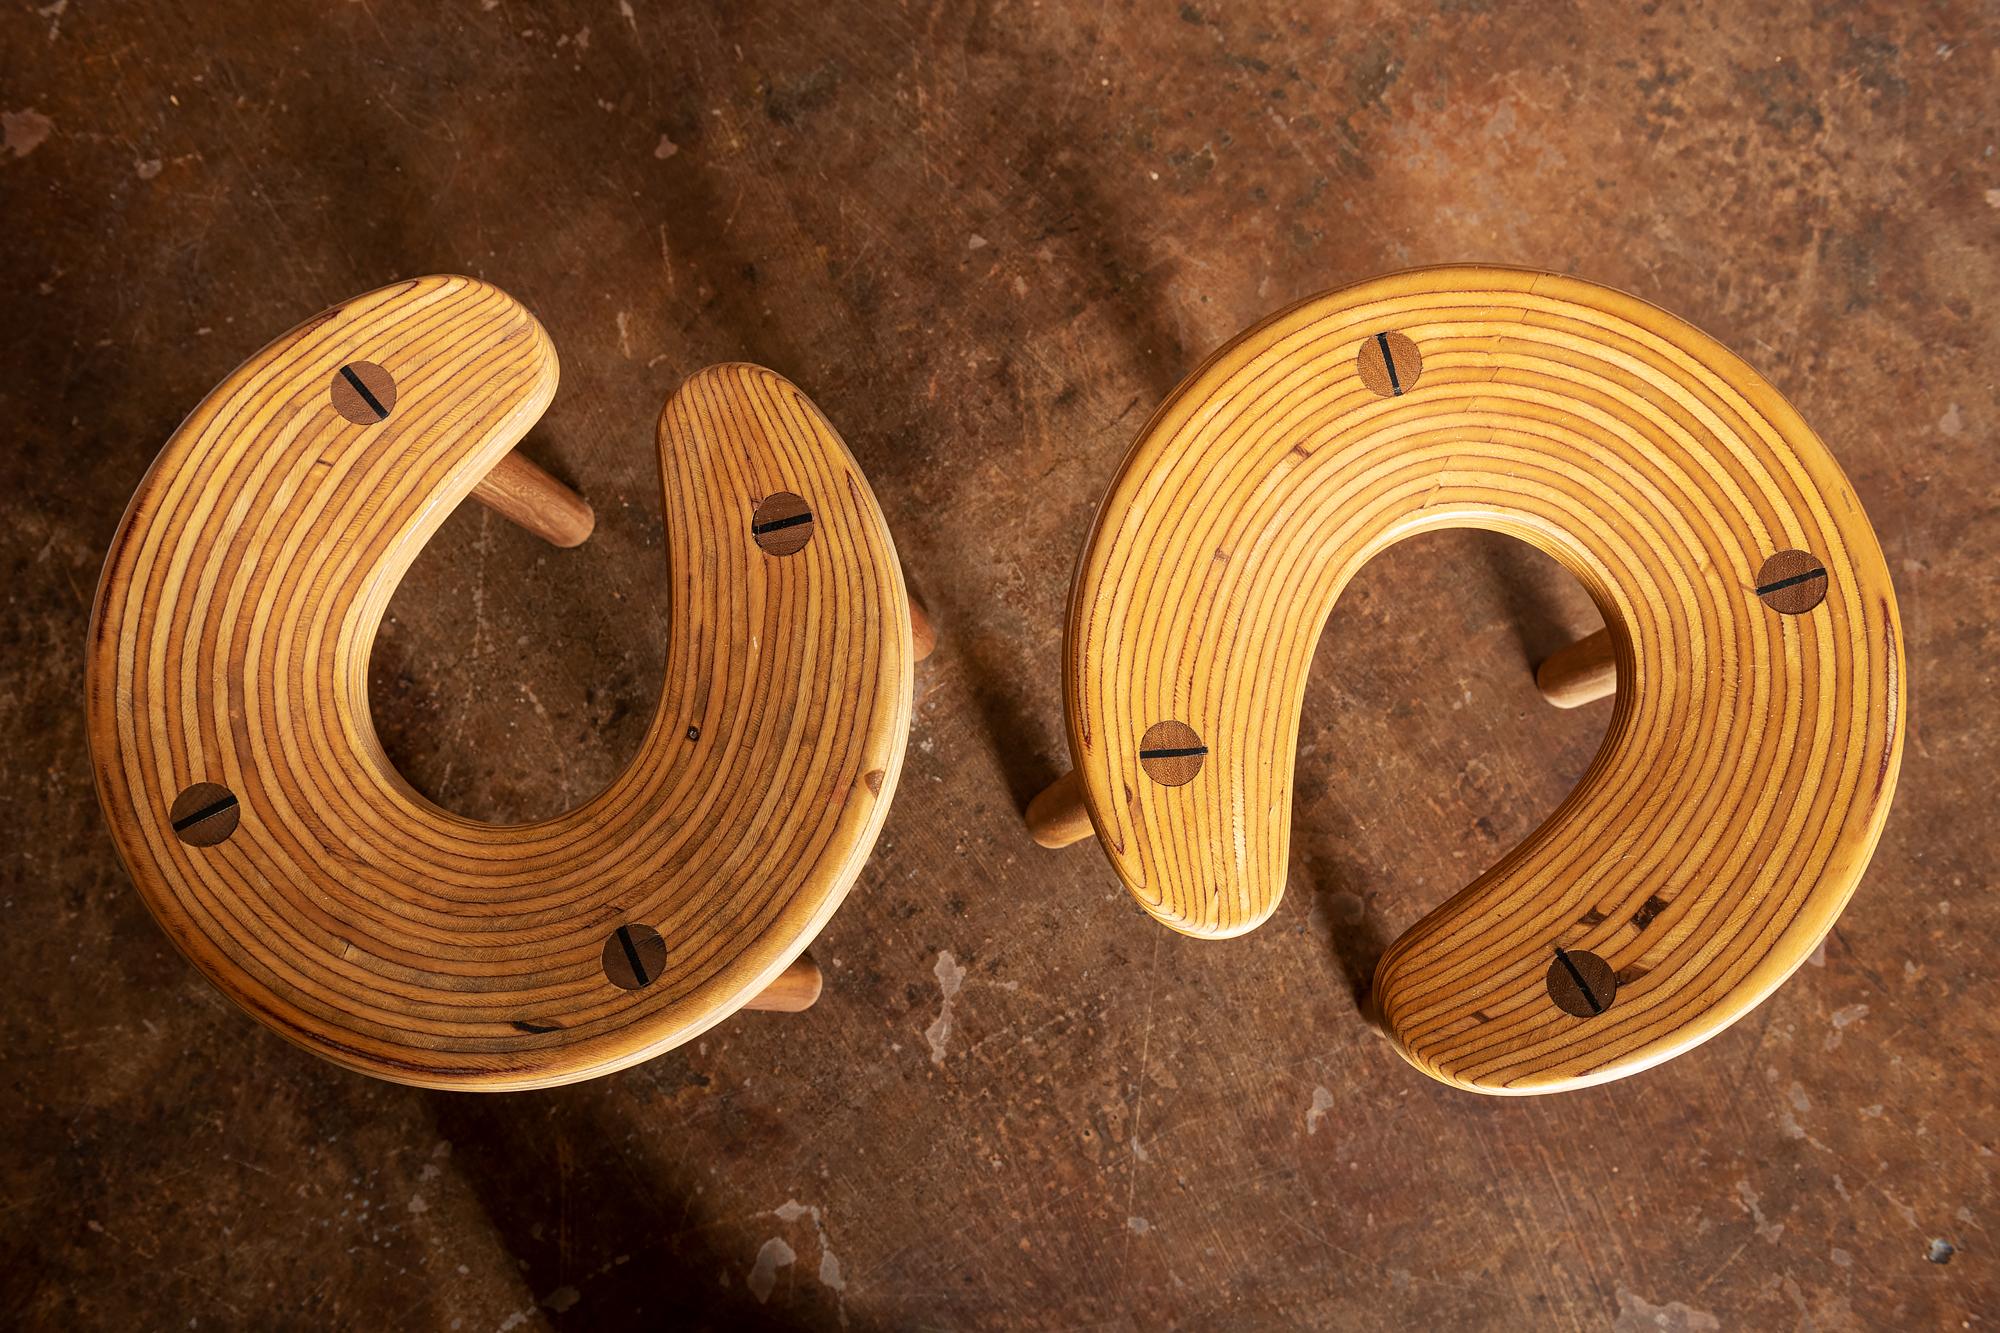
x=241, y=774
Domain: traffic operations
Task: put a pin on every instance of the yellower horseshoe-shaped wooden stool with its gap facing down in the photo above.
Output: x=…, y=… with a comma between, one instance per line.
x=1751, y=633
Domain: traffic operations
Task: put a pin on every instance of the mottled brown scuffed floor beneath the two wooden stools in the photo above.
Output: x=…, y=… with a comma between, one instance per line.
x=987, y=239
